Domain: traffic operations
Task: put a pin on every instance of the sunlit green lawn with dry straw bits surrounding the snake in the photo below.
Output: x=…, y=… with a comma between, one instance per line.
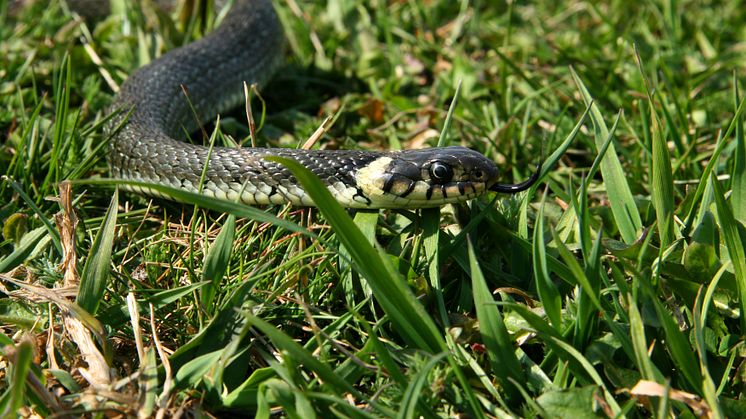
x=613, y=288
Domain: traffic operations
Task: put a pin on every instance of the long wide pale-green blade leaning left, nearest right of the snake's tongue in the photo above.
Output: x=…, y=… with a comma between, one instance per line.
x=620, y=196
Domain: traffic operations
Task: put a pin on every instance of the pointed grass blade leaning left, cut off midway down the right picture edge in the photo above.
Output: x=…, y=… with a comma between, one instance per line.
x=732, y=231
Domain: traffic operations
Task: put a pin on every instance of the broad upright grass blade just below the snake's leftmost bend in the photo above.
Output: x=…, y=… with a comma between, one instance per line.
x=96, y=270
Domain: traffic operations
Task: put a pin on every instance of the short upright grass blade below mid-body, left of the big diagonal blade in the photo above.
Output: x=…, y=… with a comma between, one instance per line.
x=217, y=261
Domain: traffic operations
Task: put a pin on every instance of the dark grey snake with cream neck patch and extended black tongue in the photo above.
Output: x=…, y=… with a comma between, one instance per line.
x=151, y=112
